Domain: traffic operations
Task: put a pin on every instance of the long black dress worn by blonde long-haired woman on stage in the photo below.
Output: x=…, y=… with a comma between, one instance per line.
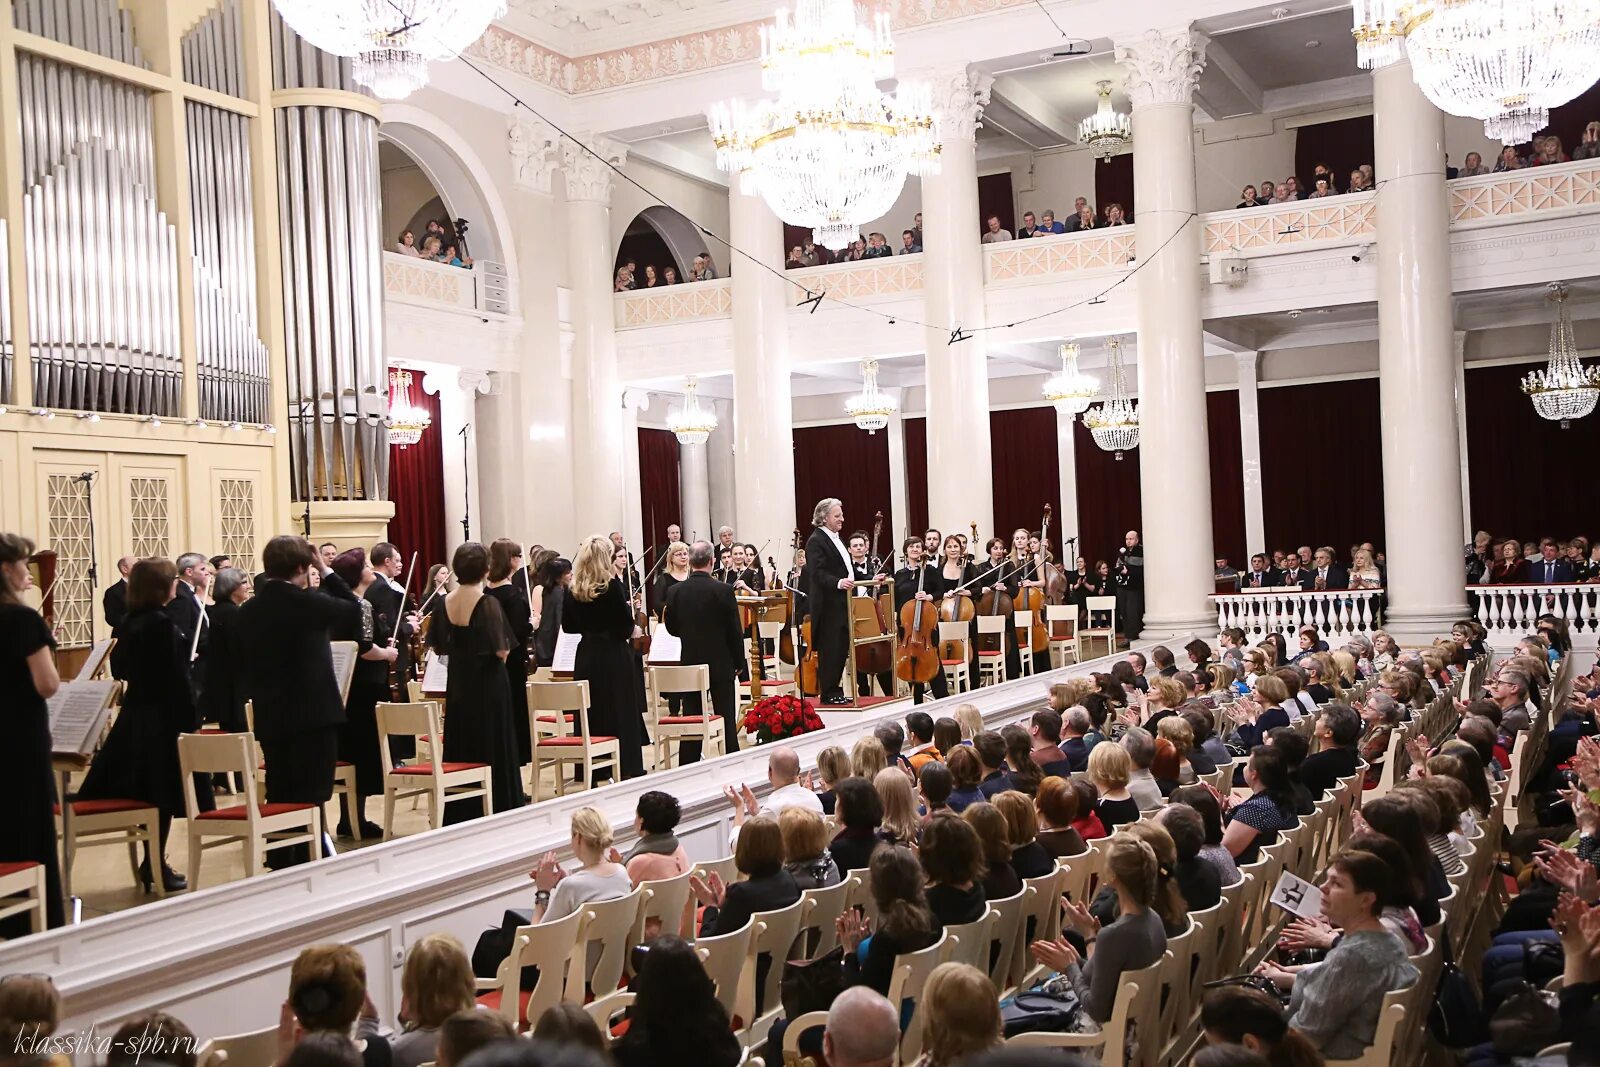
x=607, y=663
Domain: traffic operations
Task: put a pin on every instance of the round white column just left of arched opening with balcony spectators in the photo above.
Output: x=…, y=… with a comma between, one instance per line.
x=598, y=394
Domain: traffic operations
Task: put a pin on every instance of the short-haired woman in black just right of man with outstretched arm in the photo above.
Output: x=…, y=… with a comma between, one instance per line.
x=369, y=685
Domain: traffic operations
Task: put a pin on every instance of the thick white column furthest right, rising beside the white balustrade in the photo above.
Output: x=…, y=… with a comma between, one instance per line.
x=1417, y=362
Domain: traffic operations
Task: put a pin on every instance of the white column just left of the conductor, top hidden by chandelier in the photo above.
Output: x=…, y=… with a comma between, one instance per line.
x=764, y=463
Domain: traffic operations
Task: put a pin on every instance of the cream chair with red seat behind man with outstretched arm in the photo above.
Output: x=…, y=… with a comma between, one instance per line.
x=258, y=826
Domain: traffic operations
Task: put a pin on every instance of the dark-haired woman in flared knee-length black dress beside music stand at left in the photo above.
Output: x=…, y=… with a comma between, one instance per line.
x=140, y=757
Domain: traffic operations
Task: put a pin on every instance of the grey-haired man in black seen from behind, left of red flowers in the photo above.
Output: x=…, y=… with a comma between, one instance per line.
x=703, y=613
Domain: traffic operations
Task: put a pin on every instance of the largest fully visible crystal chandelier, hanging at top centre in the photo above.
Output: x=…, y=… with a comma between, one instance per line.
x=833, y=151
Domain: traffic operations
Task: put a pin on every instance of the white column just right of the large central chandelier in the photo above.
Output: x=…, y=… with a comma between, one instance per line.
x=961, y=474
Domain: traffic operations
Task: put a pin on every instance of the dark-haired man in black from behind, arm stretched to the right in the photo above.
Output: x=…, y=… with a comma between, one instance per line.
x=287, y=671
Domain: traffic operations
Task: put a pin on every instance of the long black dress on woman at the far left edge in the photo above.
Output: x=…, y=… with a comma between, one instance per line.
x=28, y=789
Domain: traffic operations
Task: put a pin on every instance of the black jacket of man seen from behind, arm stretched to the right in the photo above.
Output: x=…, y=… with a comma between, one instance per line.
x=287, y=666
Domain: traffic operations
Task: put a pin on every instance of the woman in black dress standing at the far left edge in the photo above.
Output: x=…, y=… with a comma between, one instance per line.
x=28, y=677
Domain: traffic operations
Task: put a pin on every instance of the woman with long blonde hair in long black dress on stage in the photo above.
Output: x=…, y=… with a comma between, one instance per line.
x=599, y=612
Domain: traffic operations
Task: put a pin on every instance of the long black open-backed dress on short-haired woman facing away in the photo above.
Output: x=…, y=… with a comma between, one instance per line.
x=478, y=705
